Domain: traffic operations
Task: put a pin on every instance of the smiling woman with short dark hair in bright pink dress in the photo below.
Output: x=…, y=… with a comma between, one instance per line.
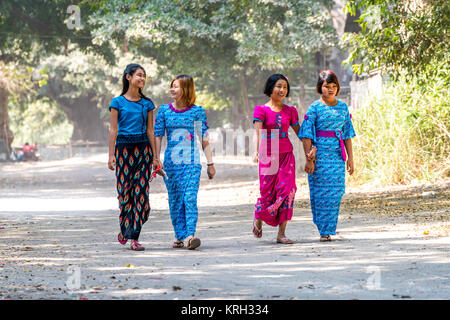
x=276, y=159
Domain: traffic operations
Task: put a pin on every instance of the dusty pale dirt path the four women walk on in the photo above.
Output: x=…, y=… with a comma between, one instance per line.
x=59, y=220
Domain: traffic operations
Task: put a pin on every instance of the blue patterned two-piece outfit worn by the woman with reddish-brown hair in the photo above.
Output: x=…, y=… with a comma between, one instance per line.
x=182, y=163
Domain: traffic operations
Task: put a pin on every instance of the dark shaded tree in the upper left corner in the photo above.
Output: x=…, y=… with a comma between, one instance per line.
x=31, y=30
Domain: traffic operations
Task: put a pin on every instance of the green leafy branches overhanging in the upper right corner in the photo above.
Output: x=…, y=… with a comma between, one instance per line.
x=403, y=37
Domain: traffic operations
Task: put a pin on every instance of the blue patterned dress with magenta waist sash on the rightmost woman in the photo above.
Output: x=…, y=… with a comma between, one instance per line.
x=327, y=183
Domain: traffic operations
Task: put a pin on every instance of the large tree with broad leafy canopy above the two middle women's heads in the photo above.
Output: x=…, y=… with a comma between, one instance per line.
x=229, y=46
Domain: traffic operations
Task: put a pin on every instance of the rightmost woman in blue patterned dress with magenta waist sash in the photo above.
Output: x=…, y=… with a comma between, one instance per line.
x=328, y=126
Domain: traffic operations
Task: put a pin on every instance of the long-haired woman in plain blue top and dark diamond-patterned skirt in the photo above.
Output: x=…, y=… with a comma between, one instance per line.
x=131, y=145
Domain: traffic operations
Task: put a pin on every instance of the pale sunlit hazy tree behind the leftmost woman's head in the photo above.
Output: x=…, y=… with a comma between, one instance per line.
x=83, y=84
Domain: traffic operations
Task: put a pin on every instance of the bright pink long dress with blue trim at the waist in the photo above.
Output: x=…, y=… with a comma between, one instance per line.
x=276, y=165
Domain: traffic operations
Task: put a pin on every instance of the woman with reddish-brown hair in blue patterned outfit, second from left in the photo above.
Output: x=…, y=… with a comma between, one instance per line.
x=183, y=121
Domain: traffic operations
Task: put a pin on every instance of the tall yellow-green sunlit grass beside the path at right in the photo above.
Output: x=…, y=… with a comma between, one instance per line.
x=403, y=136
